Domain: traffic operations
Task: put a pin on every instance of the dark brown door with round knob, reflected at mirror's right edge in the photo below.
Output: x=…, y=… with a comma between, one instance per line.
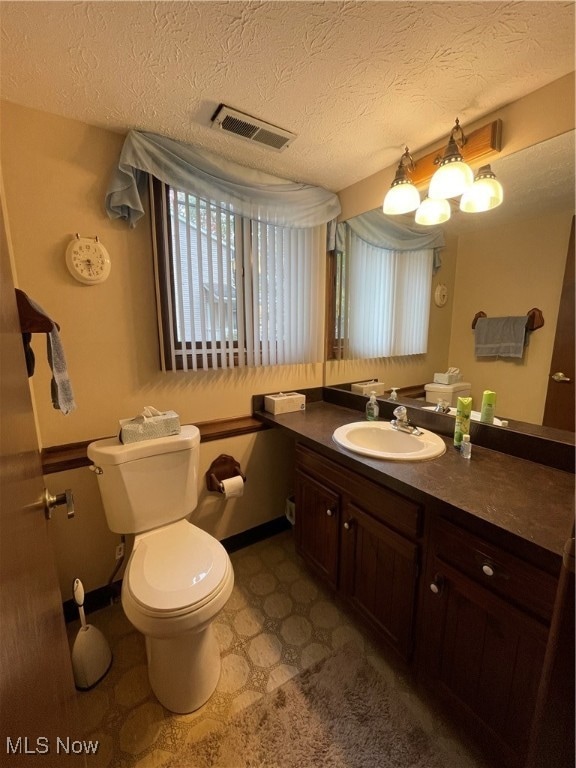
x=559, y=408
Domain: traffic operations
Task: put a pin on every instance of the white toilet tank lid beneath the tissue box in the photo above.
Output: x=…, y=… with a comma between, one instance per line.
x=112, y=451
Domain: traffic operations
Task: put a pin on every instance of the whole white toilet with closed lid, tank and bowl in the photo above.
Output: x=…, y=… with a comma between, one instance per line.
x=178, y=577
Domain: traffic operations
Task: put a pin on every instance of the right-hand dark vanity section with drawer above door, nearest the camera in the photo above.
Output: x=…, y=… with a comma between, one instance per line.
x=483, y=637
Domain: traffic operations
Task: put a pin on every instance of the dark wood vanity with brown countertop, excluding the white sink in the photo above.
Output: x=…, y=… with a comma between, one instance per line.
x=453, y=564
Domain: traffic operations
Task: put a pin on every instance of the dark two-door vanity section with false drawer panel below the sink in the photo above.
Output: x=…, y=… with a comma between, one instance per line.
x=362, y=539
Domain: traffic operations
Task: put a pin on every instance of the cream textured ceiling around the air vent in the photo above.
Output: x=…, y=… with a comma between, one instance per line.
x=354, y=80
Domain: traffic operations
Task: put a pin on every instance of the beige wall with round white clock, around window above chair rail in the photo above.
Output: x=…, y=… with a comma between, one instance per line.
x=56, y=172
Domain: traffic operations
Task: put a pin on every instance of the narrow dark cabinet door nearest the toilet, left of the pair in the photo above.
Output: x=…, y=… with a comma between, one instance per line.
x=317, y=521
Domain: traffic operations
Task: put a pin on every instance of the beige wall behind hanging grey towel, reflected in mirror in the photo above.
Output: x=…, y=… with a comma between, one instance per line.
x=508, y=270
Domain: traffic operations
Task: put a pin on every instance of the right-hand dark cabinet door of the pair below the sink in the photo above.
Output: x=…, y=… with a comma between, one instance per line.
x=379, y=575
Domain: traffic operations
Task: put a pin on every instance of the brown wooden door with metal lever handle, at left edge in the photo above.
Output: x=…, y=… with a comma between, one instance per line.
x=37, y=695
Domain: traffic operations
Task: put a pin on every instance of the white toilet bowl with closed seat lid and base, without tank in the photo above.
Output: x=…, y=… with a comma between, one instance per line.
x=177, y=580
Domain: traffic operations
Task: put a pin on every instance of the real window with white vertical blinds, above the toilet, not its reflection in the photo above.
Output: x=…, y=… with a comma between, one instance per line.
x=233, y=291
